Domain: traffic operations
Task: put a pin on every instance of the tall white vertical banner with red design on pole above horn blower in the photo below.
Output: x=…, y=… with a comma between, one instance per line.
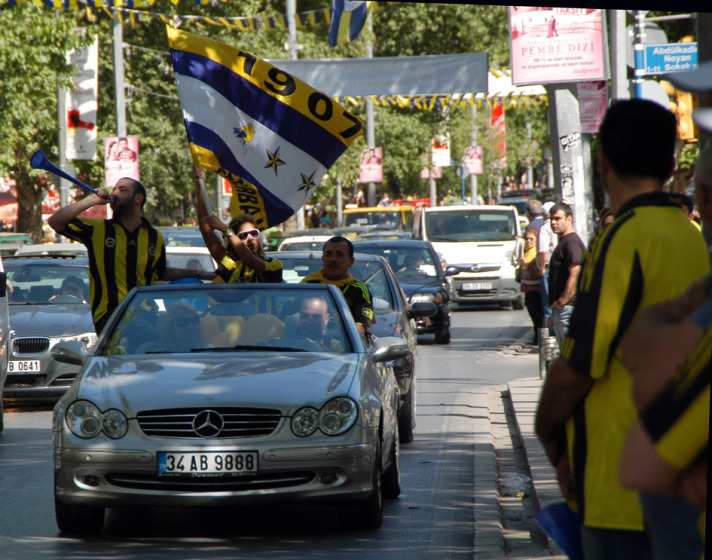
x=81, y=102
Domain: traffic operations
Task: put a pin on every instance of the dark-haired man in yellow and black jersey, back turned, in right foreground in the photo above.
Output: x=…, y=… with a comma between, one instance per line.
x=649, y=254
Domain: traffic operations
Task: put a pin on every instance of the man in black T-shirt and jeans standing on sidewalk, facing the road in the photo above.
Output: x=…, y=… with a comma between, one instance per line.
x=564, y=268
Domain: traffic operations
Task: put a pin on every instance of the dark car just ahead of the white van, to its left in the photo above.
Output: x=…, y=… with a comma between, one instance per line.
x=427, y=281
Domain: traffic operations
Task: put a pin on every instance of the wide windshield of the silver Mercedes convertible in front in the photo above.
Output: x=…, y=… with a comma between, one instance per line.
x=209, y=318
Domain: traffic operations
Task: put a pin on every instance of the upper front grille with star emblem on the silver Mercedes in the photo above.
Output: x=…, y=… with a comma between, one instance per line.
x=232, y=422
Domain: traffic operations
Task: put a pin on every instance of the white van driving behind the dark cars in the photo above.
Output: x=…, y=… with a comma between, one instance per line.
x=483, y=242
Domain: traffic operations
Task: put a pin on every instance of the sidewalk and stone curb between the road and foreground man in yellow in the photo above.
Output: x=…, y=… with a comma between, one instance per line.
x=489, y=540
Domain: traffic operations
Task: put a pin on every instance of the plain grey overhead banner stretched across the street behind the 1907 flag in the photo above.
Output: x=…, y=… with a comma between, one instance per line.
x=403, y=75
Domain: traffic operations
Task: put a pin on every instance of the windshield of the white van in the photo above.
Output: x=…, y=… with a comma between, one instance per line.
x=471, y=225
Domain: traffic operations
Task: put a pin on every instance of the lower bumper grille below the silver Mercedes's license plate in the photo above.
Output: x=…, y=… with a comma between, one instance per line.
x=220, y=484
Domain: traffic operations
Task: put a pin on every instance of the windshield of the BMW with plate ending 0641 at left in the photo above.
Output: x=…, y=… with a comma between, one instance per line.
x=53, y=282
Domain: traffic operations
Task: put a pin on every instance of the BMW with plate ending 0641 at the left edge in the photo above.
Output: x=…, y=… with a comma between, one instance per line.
x=41, y=316
